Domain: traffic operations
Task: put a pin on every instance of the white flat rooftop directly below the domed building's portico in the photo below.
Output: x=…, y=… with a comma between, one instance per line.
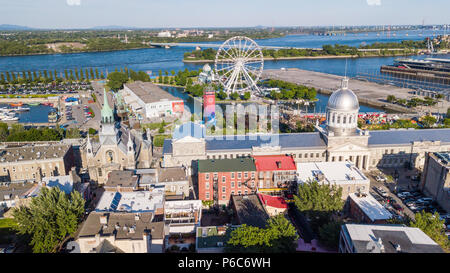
x=332, y=172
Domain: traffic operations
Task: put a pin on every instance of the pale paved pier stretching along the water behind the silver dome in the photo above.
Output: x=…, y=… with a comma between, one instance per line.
x=368, y=93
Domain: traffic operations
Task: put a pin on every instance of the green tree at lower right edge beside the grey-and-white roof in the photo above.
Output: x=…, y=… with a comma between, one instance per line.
x=432, y=226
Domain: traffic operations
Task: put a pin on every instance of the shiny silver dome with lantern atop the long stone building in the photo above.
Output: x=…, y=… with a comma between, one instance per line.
x=343, y=99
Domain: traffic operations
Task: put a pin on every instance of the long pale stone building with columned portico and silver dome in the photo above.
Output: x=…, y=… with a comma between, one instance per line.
x=339, y=141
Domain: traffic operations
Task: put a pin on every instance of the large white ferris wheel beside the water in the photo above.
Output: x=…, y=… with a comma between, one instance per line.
x=239, y=64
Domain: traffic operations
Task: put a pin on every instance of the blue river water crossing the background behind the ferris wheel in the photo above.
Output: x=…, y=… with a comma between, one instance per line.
x=155, y=59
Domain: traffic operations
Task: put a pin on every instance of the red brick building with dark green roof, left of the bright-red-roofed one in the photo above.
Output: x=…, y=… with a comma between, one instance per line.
x=218, y=179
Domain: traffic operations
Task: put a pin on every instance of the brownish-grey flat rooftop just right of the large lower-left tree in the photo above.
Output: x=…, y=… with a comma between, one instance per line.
x=122, y=225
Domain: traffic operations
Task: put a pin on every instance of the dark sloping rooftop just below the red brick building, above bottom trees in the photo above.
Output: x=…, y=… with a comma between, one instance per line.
x=249, y=210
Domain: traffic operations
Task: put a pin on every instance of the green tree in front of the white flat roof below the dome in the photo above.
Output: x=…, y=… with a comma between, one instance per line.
x=318, y=202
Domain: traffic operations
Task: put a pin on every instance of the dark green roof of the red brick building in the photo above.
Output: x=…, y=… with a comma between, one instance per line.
x=226, y=165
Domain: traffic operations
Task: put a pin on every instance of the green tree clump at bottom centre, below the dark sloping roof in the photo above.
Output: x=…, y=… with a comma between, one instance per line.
x=278, y=236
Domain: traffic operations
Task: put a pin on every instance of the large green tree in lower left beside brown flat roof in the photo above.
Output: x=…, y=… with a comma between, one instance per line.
x=50, y=217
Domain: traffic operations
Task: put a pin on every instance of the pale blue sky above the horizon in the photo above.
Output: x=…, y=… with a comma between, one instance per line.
x=221, y=13
